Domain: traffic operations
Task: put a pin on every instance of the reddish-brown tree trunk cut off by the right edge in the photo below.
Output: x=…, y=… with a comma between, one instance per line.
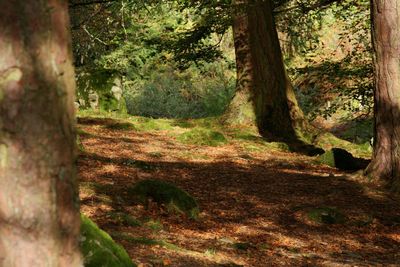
x=385, y=164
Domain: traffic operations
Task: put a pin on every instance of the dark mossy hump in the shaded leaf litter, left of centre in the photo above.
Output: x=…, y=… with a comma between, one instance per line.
x=163, y=193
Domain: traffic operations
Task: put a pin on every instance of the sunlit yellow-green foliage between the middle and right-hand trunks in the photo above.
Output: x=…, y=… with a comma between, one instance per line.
x=334, y=75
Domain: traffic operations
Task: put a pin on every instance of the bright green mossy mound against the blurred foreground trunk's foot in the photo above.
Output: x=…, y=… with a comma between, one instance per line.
x=99, y=249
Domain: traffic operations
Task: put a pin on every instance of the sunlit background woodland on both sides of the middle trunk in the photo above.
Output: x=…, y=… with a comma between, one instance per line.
x=177, y=60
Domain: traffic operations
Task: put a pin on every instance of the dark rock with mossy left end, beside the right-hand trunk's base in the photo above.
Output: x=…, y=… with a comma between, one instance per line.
x=343, y=160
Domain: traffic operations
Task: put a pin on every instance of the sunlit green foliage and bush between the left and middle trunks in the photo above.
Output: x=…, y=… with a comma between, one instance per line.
x=154, y=84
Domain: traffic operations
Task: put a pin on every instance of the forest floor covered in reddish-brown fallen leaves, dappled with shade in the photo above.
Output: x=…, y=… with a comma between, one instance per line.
x=255, y=202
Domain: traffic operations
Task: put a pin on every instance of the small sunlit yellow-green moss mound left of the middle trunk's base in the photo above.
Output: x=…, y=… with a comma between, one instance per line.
x=202, y=136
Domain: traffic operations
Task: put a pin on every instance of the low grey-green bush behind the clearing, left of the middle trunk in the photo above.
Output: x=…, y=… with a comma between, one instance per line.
x=170, y=93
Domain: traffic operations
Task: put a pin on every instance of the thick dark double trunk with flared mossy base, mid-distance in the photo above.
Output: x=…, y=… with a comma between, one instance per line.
x=264, y=95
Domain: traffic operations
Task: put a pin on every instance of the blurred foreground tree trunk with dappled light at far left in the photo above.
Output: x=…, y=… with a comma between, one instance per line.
x=39, y=208
